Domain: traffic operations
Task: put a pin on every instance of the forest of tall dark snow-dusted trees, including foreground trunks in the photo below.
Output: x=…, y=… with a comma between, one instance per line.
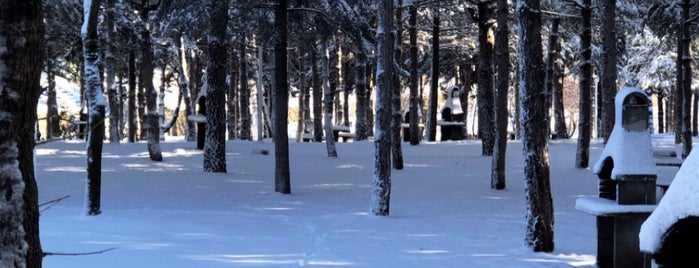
x=532, y=69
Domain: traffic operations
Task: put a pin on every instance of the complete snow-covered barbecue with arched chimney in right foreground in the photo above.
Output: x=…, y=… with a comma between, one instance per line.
x=627, y=176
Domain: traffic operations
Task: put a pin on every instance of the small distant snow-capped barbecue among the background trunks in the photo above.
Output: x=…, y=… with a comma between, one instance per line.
x=452, y=121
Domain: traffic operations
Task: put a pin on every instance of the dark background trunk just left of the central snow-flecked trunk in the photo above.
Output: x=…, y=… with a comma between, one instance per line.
x=361, y=92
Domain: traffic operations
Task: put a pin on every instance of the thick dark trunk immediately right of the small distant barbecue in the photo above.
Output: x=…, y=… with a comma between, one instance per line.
x=486, y=40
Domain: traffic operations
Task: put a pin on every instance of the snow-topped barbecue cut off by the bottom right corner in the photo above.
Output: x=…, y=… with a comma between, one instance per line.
x=671, y=232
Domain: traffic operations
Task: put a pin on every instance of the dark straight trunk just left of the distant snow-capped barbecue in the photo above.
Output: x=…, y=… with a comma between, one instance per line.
x=431, y=124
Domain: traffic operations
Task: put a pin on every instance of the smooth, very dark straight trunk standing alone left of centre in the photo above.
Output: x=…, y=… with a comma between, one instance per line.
x=282, y=182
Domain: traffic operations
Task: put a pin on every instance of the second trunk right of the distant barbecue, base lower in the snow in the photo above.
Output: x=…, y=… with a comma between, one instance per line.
x=502, y=50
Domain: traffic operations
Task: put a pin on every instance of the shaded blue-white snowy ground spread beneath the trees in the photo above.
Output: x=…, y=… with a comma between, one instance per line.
x=443, y=212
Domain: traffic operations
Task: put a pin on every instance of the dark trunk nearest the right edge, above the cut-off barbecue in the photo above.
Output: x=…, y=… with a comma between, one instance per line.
x=686, y=80
